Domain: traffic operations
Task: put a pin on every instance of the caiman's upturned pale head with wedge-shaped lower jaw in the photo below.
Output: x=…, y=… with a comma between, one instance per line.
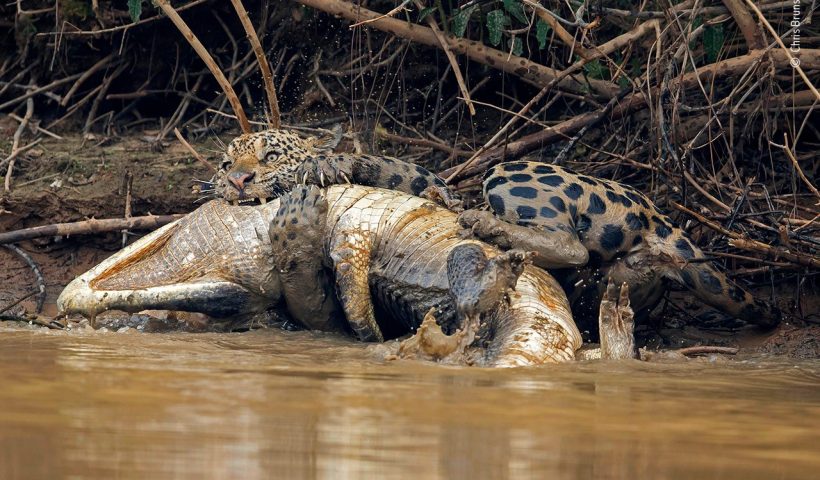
x=216, y=261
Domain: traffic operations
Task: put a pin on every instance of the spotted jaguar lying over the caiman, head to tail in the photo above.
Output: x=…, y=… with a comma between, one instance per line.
x=585, y=230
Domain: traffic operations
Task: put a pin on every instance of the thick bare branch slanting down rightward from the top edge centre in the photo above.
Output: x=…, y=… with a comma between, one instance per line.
x=527, y=70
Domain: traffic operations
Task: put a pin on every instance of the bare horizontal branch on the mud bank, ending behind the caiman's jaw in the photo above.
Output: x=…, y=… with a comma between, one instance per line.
x=85, y=227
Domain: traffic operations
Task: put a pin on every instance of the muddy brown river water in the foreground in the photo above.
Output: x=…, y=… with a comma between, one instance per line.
x=282, y=404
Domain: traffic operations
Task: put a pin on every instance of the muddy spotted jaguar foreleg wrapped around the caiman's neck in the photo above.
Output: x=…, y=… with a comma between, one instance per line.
x=296, y=234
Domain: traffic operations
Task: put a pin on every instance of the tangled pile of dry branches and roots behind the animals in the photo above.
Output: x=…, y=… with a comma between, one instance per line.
x=707, y=105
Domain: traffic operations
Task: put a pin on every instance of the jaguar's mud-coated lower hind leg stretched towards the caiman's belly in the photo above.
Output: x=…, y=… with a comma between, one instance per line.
x=556, y=249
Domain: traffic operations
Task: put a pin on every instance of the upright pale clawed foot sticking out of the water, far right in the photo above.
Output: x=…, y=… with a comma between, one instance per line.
x=616, y=324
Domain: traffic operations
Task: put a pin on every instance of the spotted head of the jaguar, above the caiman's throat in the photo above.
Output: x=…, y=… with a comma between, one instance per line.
x=260, y=166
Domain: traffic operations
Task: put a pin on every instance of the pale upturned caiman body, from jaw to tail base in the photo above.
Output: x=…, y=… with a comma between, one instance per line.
x=226, y=260
